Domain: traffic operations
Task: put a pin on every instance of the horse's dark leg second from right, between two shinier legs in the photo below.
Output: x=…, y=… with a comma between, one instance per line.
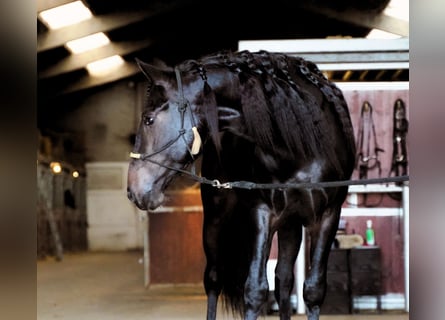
x=289, y=240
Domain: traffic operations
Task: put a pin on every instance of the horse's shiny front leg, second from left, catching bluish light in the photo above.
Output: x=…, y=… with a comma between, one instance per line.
x=256, y=287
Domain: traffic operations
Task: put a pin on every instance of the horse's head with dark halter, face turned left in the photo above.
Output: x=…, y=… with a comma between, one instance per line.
x=167, y=138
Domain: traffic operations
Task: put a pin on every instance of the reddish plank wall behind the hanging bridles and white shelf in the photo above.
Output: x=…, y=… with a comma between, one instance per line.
x=388, y=229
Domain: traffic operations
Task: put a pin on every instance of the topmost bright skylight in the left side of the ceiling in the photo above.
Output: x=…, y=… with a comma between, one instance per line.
x=65, y=15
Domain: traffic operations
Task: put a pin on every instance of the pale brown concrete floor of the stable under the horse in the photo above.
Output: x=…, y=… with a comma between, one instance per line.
x=99, y=286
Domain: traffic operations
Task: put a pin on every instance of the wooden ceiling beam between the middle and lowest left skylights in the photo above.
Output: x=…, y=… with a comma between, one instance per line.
x=78, y=61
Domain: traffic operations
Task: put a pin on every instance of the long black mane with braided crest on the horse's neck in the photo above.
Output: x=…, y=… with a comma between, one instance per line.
x=281, y=100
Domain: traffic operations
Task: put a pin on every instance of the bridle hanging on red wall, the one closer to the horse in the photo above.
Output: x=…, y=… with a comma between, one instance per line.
x=367, y=160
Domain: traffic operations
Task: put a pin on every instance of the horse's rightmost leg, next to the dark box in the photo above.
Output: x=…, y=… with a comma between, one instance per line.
x=322, y=235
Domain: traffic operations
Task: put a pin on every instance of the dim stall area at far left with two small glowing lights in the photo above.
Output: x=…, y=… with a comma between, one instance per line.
x=61, y=201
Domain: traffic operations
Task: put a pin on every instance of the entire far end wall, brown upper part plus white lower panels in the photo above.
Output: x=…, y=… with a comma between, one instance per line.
x=103, y=122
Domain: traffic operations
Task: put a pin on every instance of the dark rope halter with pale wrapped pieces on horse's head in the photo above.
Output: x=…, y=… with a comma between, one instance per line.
x=183, y=104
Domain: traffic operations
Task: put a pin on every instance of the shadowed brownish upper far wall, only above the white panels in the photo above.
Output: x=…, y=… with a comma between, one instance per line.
x=105, y=120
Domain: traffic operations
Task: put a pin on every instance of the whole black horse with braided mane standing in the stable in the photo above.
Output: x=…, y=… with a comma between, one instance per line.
x=264, y=118
